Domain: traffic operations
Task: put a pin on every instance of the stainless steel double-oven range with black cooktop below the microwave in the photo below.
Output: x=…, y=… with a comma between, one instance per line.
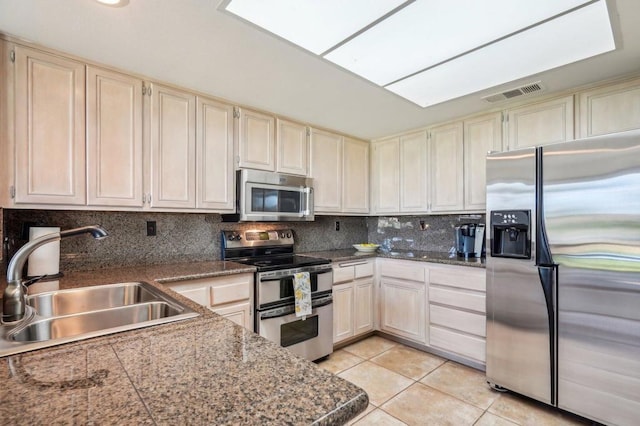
x=271, y=252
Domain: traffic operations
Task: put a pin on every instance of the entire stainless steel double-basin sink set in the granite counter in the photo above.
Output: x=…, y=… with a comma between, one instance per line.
x=70, y=315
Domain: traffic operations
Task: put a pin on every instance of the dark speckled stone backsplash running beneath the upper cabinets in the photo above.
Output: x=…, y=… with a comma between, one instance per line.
x=196, y=237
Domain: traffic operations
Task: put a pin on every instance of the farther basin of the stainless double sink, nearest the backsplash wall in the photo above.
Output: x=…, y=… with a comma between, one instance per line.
x=65, y=302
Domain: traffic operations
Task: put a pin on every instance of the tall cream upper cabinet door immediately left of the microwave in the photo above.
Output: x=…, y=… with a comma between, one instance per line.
x=214, y=159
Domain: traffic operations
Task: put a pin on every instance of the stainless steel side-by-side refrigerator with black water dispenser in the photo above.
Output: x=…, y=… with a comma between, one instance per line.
x=563, y=275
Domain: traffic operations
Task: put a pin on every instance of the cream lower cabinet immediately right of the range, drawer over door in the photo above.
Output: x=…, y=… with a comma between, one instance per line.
x=353, y=299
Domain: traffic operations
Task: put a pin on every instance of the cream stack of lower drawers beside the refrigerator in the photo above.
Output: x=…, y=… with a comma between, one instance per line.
x=457, y=319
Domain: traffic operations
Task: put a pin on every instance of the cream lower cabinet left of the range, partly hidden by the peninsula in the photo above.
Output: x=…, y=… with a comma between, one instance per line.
x=230, y=296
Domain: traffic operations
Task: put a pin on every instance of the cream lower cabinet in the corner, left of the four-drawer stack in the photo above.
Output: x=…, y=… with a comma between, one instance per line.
x=403, y=298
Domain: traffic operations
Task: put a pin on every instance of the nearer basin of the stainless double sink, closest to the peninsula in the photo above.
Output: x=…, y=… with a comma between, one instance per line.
x=85, y=323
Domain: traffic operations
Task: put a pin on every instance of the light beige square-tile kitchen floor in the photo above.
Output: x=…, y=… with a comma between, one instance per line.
x=410, y=387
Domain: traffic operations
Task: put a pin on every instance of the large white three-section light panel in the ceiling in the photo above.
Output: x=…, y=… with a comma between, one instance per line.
x=433, y=51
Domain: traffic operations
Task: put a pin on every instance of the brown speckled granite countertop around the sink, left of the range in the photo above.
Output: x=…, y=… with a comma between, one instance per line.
x=204, y=370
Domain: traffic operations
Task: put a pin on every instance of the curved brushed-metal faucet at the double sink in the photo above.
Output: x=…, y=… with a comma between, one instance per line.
x=14, y=297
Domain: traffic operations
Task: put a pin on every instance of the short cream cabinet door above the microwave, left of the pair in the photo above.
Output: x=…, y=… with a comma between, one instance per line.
x=256, y=141
